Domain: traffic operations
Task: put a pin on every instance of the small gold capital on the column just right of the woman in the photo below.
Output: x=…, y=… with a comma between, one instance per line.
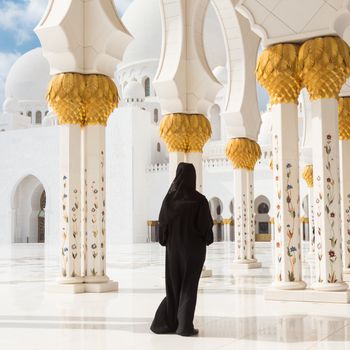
x=243, y=153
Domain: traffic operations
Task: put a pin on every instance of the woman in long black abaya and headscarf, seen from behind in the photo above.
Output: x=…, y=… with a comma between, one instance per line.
x=185, y=228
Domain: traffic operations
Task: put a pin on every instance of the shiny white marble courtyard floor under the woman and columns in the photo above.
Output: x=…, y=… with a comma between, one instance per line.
x=231, y=312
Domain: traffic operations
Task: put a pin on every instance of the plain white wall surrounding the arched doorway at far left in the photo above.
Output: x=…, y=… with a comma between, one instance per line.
x=29, y=152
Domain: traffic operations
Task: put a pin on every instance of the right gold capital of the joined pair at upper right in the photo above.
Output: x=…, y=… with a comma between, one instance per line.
x=324, y=65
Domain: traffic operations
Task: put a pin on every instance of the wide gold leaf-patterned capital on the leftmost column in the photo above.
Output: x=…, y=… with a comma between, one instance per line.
x=84, y=99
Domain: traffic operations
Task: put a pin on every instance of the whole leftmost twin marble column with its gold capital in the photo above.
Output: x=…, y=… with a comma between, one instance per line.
x=83, y=104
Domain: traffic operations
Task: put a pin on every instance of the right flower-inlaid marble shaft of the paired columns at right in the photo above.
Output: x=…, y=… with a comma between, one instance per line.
x=328, y=253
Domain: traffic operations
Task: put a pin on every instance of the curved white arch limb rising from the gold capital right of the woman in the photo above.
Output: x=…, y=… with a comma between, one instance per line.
x=241, y=111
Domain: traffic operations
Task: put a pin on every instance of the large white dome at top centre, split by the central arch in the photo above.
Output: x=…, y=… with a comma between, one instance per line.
x=142, y=19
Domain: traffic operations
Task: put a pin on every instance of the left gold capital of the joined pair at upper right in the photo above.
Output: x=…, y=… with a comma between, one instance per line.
x=277, y=72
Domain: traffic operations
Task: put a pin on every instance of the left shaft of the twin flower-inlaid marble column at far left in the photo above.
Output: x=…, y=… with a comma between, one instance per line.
x=70, y=205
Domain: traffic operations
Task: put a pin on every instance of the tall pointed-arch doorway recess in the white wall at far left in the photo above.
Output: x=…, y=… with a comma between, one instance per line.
x=28, y=211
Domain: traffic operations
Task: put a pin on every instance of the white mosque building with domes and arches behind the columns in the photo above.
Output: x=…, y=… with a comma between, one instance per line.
x=137, y=160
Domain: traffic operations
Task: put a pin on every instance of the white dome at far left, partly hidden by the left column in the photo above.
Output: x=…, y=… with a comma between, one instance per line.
x=28, y=78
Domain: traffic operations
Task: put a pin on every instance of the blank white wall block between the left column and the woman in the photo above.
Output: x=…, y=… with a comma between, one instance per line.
x=128, y=155
